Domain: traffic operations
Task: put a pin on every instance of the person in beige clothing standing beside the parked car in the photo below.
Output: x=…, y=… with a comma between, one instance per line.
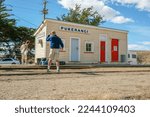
x=24, y=51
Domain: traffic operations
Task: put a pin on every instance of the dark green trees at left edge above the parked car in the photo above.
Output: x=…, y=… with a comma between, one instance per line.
x=9, y=31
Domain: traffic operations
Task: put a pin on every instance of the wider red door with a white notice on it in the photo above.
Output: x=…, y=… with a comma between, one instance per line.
x=114, y=50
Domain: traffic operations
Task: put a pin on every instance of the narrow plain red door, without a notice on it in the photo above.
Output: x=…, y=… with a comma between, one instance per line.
x=102, y=51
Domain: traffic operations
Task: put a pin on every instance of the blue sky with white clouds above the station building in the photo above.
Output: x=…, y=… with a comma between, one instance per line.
x=131, y=15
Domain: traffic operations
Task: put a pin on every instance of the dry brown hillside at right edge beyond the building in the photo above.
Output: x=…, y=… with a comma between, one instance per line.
x=143, y=57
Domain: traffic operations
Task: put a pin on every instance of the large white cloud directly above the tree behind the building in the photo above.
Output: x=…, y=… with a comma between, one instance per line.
x=107, y=12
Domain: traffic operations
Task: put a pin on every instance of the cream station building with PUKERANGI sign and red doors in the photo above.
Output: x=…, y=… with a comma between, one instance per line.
x=83, y=43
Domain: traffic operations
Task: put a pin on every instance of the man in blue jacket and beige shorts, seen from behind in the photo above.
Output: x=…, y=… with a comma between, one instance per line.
x=55, y=44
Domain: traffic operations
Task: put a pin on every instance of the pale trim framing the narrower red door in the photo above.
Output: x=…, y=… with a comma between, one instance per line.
x=106, y=46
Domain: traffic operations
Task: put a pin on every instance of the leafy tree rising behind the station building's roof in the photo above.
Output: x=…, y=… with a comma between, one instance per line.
x=84, y=16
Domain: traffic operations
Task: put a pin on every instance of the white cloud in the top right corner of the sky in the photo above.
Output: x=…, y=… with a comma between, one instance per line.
x=139, y=4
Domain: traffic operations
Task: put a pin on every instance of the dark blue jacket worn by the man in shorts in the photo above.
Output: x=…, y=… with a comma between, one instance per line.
x=55, y=41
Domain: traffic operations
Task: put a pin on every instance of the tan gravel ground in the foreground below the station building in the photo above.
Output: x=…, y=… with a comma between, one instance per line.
x=92, y=84
